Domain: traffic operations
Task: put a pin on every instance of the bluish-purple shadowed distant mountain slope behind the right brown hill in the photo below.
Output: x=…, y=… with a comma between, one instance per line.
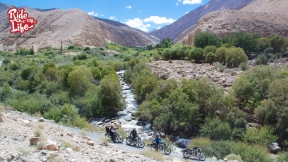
x=175, y=29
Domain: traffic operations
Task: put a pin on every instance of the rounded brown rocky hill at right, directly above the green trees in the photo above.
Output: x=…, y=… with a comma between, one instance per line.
x=264, y=17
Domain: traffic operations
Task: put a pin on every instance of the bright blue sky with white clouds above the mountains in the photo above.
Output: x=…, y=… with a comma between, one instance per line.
x=142, y=14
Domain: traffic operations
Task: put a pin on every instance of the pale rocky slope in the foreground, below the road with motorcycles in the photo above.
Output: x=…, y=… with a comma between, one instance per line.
x=55, y=143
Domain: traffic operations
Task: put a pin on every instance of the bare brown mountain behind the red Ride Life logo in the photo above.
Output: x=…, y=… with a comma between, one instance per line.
x=71, y=26
